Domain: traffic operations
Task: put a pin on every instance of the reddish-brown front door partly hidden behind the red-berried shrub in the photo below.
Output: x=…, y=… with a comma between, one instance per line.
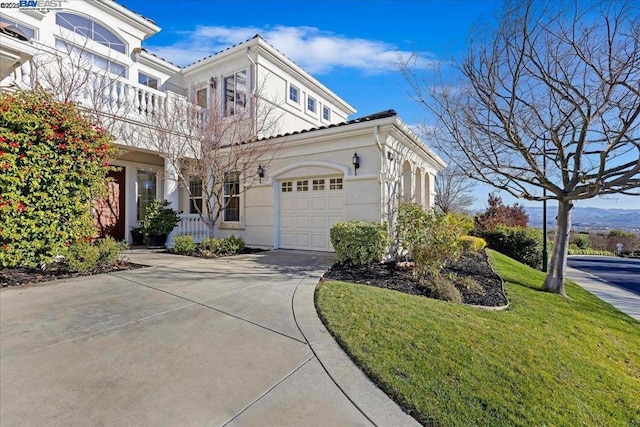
x=109, y=211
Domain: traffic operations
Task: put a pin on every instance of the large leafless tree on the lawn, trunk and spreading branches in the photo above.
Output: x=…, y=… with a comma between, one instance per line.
x=555, y=85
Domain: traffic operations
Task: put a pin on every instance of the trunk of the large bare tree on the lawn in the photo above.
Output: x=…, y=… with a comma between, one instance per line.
x=558, y=264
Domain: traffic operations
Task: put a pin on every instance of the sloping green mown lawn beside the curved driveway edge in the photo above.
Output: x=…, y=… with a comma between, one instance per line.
x=547, y=360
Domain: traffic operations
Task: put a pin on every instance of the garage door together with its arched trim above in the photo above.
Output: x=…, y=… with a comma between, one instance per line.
x=310, y=200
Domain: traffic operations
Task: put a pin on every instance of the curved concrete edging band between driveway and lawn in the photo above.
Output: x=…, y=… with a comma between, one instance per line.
x=372, y=402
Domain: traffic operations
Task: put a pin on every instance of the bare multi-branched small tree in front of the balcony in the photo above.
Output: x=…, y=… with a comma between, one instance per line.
x=216, y=144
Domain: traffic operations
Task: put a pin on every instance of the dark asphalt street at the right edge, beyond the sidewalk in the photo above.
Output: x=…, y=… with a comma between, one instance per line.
x=623, y=272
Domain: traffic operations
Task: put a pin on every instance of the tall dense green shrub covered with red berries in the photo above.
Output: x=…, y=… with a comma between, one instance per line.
x=53, y=162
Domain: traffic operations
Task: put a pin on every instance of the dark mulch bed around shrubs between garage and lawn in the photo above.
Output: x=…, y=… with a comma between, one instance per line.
x=488, y=292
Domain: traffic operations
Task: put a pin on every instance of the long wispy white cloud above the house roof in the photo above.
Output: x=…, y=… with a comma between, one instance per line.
x=315, y=50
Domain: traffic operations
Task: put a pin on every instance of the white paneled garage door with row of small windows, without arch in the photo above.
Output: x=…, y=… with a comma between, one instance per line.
x=308, y=209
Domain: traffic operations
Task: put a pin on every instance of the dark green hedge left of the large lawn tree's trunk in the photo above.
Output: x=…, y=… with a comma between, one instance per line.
x=521, y=244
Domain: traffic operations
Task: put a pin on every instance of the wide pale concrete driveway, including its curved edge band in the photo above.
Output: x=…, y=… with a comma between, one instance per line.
x=230, y=341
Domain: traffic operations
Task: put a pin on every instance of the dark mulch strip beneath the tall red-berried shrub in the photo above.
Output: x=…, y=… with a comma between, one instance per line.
x=24, y=276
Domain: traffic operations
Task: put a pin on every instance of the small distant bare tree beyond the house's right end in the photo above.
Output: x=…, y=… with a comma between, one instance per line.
x=453, y=190
